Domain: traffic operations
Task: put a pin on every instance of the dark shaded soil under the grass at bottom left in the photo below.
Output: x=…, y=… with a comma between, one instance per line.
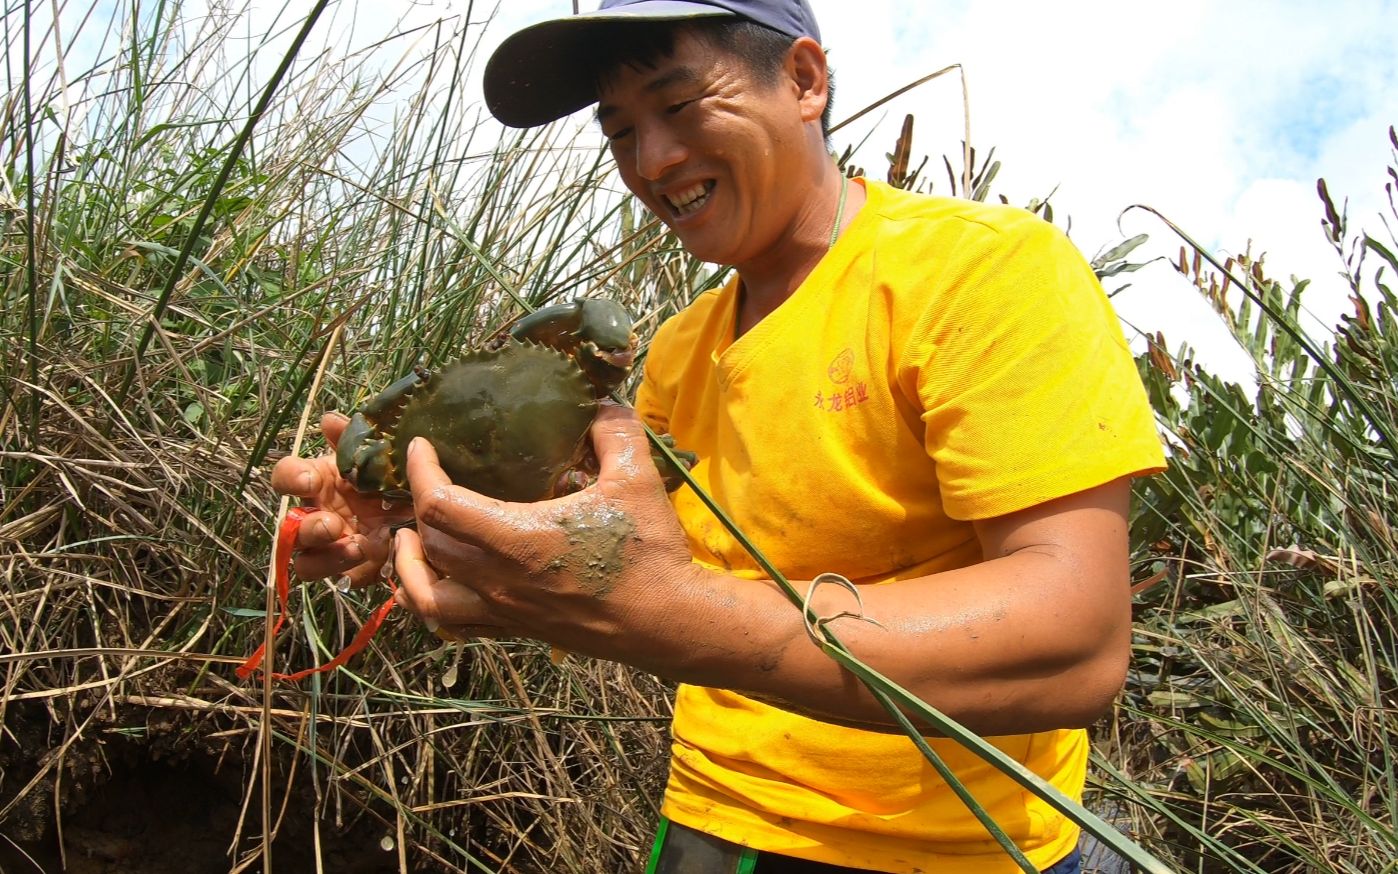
x=163, y=802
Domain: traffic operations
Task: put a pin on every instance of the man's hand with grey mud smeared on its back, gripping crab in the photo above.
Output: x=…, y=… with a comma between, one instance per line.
x=588, y=573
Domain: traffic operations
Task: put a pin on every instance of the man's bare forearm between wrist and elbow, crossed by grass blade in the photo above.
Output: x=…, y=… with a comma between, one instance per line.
x=1016, y=645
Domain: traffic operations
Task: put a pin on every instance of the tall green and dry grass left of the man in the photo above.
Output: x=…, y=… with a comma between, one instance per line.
x=154, y=366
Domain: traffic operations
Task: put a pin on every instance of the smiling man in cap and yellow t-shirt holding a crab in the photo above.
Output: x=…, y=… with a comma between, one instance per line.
x=928, y=396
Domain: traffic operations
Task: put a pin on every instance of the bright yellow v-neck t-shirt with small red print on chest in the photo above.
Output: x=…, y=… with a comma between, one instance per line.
x=946, y=361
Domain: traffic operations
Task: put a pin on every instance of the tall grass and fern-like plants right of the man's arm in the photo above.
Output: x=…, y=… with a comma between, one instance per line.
x=1260, y=729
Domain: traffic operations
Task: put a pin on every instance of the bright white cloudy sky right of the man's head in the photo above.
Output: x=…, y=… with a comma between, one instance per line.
x=1221, y=115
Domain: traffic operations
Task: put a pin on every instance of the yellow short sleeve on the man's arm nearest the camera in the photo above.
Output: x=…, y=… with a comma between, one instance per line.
x=1027, y=385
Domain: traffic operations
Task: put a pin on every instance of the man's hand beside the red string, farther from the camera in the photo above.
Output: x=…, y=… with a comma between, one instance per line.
x=347, y=535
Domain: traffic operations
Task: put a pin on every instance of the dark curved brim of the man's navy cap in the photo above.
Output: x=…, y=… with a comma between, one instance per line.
x=539, y=75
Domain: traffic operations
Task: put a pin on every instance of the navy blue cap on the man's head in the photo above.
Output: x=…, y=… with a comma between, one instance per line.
x=535, y=76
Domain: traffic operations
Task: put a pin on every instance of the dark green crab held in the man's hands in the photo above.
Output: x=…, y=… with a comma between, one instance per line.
x=510, y=420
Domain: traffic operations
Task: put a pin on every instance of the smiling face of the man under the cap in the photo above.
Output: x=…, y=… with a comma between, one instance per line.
x=711, y=149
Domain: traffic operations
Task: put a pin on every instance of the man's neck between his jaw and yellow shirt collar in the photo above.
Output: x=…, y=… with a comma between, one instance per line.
x=775, y=276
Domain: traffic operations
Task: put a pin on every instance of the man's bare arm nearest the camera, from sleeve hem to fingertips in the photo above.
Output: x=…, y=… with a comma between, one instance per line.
x=1032, y=640
